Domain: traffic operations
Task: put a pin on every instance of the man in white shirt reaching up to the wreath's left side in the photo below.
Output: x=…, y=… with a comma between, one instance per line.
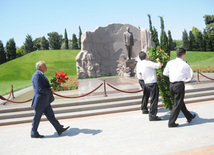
x=147, y=77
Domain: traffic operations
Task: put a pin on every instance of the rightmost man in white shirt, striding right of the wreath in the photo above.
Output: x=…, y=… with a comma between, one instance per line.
x=178, y=71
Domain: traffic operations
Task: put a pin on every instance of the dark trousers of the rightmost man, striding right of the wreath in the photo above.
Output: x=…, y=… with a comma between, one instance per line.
x=178, y=91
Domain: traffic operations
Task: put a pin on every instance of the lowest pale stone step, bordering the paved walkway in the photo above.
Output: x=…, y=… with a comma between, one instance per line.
x=99, y=111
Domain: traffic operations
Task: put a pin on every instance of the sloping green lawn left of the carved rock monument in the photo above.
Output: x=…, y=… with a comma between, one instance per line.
x=18, y=72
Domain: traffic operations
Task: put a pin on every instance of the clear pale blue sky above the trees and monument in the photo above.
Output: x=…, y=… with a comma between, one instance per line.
x=39, y=17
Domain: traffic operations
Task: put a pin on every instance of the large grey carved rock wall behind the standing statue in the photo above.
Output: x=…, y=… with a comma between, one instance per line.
x=103, y=50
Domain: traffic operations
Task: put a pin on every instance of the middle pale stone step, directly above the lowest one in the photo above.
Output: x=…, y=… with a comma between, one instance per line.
x=72, y=107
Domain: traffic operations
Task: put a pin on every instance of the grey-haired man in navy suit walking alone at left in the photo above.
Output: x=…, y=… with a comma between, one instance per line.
x=42, y=97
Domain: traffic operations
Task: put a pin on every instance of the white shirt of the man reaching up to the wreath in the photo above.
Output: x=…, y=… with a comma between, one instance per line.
x=147, y=70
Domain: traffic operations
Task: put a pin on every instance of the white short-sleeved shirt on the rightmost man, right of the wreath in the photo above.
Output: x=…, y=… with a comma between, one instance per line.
x=178, y=70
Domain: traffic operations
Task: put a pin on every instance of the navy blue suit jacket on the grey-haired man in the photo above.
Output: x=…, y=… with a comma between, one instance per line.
x=43, y=95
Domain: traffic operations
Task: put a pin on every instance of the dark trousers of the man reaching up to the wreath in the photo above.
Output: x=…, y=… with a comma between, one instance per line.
x=150, y=90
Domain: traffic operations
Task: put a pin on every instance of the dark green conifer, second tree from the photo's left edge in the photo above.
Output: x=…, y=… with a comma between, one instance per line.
x=11, y=49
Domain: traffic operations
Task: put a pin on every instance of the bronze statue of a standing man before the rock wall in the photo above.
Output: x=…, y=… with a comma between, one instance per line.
x=129, y=41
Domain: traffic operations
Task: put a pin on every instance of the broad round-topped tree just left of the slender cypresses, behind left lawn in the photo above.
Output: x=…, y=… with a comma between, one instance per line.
x=55, y=40
